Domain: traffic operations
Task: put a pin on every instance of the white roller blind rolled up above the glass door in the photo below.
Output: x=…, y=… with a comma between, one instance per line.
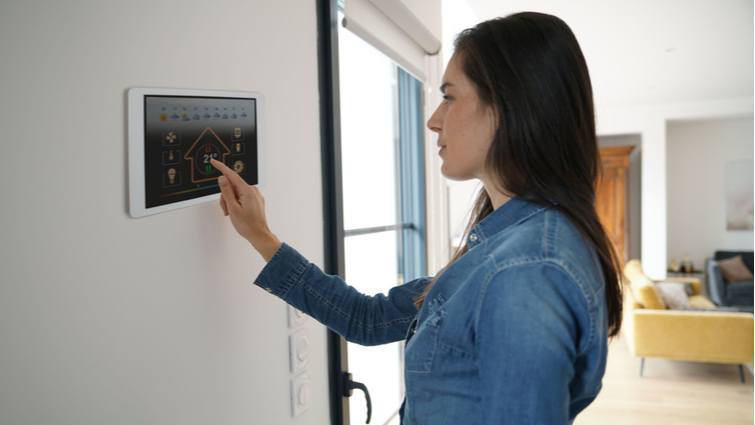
x=405, y=30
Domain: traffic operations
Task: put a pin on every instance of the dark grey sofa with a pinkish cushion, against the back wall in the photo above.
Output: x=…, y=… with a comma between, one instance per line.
x=731, y=293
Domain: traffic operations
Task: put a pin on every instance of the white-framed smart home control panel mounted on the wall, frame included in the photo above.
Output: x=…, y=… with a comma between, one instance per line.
x=174, y=133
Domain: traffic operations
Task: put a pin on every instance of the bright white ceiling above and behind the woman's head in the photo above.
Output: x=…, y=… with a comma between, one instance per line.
x=649, y=52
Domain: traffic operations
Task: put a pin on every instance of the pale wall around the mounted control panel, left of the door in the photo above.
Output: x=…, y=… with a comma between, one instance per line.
x=105, y=319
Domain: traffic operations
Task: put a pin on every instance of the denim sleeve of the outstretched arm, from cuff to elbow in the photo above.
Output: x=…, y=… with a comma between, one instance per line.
x=360, y=318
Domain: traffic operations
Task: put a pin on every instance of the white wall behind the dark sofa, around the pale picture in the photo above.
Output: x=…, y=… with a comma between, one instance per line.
x=698, y=153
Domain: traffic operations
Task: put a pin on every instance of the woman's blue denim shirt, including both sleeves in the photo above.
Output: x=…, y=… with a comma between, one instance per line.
x=514, y=332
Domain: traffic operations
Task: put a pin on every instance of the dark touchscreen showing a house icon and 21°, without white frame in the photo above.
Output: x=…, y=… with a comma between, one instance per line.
x=182, y=134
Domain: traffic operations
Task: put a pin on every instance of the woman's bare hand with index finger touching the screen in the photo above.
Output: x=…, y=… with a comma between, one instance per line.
x=246, y=207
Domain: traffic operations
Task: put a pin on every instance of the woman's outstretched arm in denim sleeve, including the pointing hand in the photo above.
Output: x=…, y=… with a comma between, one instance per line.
x=366, y=320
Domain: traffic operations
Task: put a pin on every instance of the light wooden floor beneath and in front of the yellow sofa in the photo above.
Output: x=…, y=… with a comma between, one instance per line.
x=669, y=393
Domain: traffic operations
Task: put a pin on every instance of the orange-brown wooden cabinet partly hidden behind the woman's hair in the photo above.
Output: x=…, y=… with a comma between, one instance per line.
x=612, y=196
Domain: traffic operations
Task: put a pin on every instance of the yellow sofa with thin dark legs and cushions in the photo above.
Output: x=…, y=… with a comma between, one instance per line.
x=689, y=335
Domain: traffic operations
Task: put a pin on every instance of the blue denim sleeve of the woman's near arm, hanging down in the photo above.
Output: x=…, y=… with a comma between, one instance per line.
x=527, y=332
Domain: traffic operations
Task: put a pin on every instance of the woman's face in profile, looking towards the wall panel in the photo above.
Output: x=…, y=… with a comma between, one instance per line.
x=464, y=125
